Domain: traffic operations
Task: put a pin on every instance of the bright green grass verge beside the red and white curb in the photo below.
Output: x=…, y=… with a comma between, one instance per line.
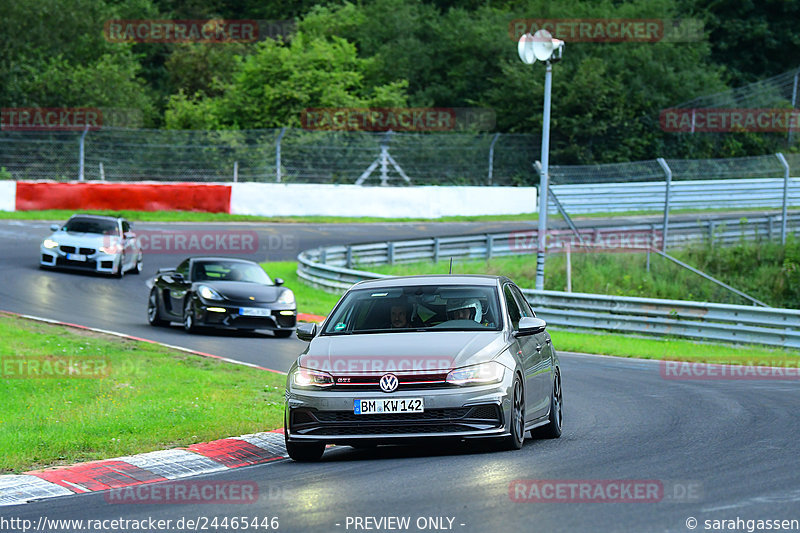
x=123, y=397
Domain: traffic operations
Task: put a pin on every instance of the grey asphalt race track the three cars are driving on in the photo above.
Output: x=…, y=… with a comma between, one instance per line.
x=719, y=450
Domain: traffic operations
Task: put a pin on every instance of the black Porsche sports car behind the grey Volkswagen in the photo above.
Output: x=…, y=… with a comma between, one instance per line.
x=221, y=293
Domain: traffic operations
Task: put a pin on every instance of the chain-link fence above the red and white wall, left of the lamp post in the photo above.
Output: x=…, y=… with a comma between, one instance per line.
x=275, y=155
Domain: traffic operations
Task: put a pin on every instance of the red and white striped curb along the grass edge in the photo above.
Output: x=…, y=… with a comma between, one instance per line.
x=152, y=467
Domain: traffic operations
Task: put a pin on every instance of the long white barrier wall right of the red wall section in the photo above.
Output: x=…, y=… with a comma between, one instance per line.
x=276, y=199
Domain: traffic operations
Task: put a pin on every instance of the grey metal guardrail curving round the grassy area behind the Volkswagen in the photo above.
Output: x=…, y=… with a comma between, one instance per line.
x=330, y=268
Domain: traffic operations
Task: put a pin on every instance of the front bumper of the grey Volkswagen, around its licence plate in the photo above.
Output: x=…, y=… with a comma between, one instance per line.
x=450, y=412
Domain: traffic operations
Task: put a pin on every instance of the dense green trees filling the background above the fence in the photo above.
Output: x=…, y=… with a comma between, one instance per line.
x=607, y=96
